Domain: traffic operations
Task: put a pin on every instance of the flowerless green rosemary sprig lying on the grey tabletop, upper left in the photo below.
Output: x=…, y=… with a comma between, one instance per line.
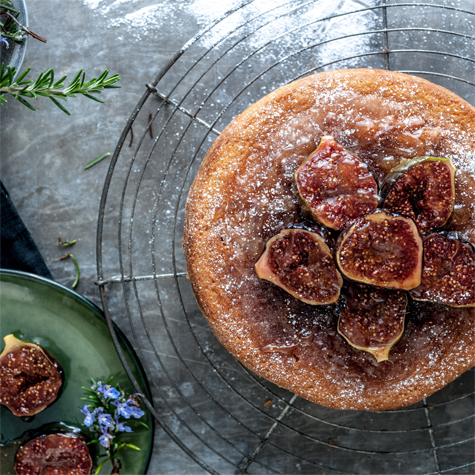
x=46, y=86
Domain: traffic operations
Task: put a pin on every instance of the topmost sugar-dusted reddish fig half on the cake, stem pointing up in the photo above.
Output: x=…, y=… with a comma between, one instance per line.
x=334, y=186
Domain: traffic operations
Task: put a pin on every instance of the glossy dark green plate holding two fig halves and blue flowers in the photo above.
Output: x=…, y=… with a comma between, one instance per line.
x=75, y=332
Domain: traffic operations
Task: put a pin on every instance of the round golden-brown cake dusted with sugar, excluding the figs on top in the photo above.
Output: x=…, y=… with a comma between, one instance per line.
x=244, y=194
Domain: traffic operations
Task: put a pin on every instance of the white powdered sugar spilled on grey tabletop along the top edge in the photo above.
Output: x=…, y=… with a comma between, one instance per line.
x=289, y=24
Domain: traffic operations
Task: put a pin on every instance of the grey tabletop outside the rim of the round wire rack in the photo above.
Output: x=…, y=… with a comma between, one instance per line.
x=43, y=153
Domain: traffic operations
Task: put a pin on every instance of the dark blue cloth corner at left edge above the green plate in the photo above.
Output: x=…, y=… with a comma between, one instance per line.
x=18, y=250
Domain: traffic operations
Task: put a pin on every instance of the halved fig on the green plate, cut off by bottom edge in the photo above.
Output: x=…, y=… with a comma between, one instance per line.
x=59, y=454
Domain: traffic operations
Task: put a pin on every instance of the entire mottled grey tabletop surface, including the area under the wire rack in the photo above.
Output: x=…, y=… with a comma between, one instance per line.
x=43, y=154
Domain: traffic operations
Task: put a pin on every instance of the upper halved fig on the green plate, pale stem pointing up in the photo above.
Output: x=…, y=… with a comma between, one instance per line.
x=31, y=378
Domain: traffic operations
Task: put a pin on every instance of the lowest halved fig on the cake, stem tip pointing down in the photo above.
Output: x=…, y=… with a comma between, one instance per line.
x=372, y=319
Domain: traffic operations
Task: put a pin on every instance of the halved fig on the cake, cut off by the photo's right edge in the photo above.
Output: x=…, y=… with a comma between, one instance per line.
x=448, y=273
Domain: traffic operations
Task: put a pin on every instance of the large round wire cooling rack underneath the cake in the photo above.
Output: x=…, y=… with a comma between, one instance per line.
x=227, y=419
